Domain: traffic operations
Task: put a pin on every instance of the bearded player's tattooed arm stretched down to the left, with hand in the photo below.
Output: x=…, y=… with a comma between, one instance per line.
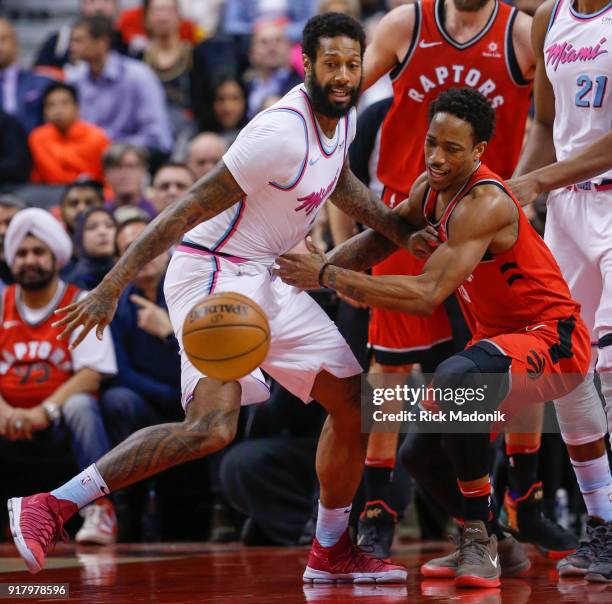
x=208, y=197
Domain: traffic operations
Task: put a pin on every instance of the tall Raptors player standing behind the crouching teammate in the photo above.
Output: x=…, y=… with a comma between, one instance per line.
x=429, y=47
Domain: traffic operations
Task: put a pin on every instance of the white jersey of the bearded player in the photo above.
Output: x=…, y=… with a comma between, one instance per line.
x=287, y=168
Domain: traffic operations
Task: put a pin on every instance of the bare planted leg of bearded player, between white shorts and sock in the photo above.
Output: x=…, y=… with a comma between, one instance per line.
x=342, y=447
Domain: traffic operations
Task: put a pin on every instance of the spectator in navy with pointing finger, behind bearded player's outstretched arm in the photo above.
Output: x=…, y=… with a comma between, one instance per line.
x=147, y=388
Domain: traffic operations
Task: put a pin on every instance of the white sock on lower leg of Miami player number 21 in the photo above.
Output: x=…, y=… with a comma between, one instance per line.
x=595, y=482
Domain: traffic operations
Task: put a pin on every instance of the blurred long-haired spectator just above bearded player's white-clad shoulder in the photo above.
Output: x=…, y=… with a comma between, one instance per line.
x=229, y=107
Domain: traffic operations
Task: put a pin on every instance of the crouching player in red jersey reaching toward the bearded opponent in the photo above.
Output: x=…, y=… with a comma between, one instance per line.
x=505, y=273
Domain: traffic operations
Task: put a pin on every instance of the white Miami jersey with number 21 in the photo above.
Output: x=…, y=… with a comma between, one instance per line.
x=578, y=59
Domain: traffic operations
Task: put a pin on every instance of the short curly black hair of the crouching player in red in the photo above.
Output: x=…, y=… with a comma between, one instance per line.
x=469, y=105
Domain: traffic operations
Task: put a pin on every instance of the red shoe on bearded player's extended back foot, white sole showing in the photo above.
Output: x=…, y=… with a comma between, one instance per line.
x=37, y=522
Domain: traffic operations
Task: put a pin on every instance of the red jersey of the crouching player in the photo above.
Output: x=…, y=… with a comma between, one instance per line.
x=516, y=289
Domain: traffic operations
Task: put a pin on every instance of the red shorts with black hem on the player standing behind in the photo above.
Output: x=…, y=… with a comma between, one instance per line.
x=397, y=338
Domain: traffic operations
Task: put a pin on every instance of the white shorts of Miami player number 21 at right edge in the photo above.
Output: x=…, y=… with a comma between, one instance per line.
x=579, y=234
